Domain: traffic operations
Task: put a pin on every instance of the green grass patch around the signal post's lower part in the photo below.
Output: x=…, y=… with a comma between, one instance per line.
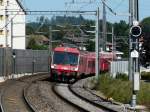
x=121, y=90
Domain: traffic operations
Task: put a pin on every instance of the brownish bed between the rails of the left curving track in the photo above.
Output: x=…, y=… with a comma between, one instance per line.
x=12, y=99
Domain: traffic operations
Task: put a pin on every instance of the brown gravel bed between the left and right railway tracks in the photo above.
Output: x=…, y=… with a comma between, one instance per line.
x=43, y=99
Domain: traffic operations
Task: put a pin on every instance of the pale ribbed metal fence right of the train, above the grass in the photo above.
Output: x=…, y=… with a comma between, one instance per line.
x=118, y=66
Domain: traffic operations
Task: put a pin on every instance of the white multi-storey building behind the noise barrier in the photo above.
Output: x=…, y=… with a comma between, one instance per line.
x=12, y=24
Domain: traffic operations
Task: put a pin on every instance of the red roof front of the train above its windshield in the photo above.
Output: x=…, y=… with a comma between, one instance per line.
x=67, y=49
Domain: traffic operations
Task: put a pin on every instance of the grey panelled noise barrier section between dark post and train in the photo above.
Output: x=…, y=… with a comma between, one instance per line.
x=29, y=61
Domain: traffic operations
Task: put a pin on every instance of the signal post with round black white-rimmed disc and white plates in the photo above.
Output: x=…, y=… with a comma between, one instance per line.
x=135, y=32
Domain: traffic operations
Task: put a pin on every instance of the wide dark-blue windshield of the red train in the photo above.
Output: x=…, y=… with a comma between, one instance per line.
x=65, y=58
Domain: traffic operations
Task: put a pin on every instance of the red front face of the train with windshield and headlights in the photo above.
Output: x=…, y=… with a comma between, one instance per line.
x=64, y=66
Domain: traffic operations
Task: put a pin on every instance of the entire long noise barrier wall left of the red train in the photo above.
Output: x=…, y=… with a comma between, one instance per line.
x=23, y=61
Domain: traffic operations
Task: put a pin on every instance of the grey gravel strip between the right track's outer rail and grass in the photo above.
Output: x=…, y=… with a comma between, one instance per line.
x=86, y=94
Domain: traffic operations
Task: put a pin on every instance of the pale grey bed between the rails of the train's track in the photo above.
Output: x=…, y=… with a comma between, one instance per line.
x=64, y=92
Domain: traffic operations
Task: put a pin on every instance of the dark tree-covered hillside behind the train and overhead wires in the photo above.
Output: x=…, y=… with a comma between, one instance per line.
x=71, y=26
